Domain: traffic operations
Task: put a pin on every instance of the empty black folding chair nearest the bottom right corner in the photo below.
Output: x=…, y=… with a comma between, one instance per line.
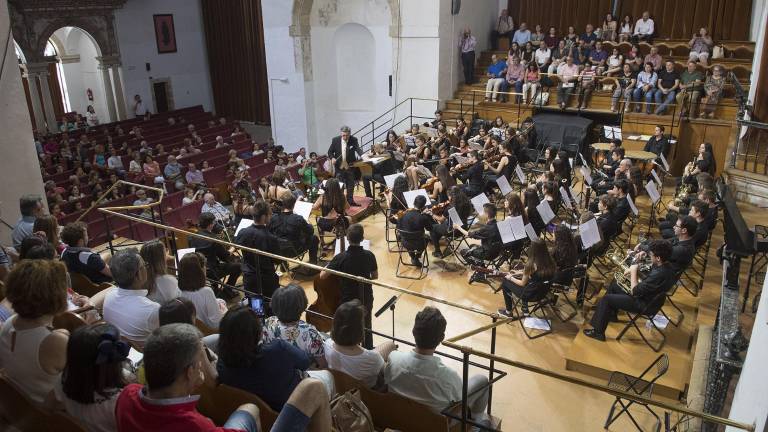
x=641, y=386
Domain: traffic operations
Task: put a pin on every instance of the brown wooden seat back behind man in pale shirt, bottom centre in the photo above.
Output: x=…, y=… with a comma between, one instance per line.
x=390, y=410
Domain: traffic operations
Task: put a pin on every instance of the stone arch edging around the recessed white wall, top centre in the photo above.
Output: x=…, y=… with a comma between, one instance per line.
x=300, y=31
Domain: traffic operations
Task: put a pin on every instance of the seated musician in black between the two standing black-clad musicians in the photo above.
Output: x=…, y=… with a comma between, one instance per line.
x=294, y=233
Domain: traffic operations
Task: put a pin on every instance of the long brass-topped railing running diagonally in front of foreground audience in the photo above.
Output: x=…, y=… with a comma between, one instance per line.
x=466, y=351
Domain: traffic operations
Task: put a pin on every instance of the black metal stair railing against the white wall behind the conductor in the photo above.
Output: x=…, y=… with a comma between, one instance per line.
x=377, y=129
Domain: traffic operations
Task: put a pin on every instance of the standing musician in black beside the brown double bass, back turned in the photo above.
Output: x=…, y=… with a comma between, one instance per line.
x=359, y=262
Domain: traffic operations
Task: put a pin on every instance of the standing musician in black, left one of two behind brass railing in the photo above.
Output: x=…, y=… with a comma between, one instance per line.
x=258, y=271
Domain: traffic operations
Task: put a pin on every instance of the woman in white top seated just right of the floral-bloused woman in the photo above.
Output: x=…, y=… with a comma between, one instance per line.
x=343, y=351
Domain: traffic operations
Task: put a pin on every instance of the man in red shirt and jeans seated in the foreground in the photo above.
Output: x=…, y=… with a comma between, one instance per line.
x=175, y=364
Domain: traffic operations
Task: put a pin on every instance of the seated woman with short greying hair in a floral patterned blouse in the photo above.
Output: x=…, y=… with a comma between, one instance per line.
x=288, y=303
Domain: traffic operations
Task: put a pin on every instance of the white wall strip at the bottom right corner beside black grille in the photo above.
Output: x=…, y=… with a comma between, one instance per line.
x=750, y=400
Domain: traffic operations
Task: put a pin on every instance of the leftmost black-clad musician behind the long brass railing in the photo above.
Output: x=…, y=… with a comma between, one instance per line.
x=218, y=261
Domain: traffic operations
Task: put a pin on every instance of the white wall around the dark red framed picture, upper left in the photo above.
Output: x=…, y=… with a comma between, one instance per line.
x=187, y=68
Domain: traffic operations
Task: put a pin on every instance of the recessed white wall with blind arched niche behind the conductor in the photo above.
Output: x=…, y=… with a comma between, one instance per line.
x=351, y=58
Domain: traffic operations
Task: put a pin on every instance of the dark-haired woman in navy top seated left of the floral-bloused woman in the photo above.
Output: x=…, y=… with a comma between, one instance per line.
x=271, y=370
